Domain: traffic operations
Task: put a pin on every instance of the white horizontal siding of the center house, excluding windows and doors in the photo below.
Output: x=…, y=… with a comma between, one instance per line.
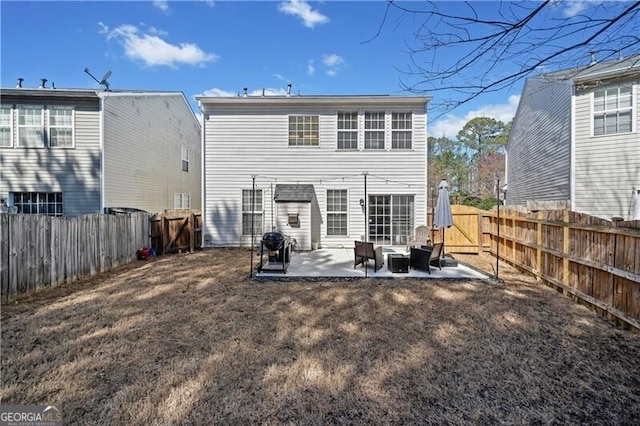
x=241, y=141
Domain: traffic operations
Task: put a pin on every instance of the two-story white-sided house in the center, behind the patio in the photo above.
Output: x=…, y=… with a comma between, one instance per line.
x=309, y=161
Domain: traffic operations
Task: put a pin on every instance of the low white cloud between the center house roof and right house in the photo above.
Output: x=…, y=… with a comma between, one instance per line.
x=451, y=124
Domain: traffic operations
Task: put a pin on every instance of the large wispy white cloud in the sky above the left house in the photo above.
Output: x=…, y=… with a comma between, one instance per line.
x=153, y=50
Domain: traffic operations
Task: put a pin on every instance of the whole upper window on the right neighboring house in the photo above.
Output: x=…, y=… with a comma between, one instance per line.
x=612, y=110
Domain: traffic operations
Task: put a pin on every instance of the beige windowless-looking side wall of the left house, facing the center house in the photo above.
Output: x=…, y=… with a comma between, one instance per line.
x=143, y=136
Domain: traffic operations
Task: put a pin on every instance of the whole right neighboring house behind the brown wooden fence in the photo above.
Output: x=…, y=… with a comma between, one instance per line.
x=576, y=139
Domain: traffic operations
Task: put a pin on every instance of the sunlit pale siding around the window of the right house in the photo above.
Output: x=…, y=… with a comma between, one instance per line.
x=606, y=167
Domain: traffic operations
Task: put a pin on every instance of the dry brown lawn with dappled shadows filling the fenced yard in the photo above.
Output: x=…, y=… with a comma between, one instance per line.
x=190, y=339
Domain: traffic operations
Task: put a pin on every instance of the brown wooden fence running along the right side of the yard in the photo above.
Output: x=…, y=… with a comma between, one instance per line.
x=591, y=259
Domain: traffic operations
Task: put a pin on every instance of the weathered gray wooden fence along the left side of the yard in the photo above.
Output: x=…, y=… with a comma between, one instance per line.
x=42, y=251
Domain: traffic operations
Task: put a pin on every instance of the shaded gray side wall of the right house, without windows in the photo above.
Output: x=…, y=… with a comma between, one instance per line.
x=539, y=147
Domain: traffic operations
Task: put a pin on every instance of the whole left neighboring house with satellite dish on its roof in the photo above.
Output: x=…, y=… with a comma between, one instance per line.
x=68, y=152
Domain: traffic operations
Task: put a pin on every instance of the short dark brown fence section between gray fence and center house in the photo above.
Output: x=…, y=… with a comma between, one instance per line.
x=176, y=230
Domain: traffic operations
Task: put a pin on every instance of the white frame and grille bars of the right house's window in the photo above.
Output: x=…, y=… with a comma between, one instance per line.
x=603, y=109
